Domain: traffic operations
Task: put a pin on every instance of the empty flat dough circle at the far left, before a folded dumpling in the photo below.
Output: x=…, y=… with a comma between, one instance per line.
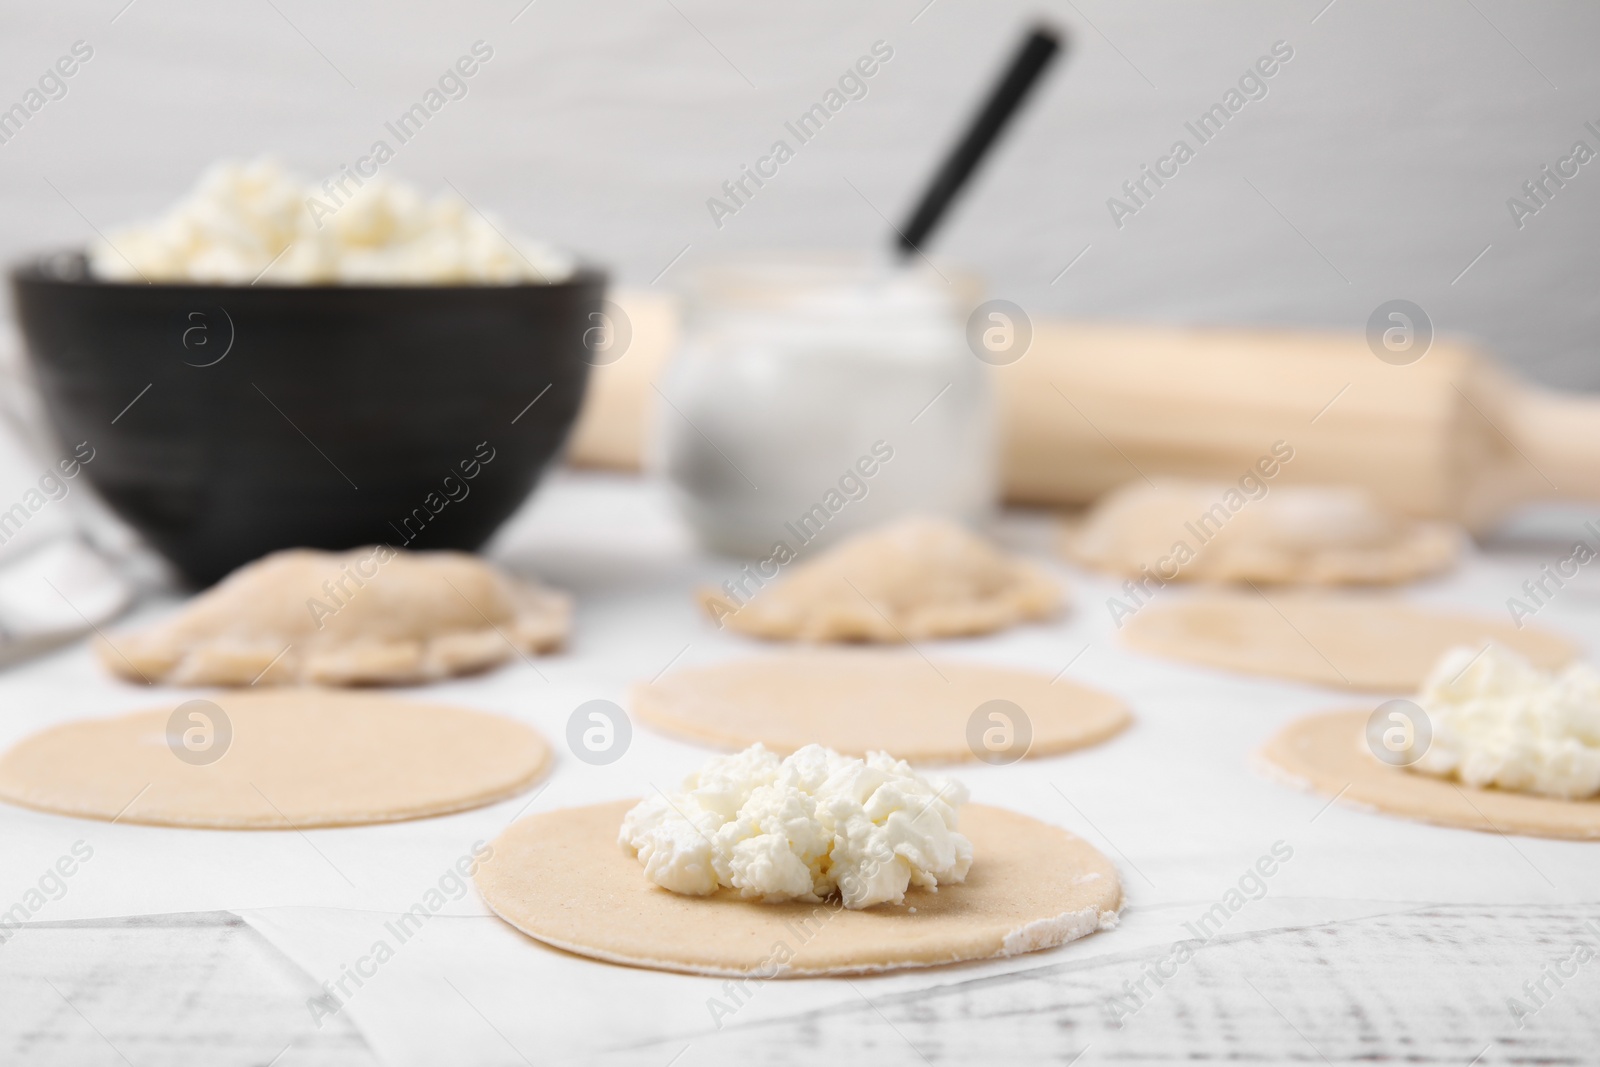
x=298, y=759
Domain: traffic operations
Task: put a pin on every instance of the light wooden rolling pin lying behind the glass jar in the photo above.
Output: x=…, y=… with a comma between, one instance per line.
x=1090, y=407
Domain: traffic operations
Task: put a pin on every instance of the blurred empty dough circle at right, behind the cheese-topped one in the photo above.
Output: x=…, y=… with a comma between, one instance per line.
x=1343, y=642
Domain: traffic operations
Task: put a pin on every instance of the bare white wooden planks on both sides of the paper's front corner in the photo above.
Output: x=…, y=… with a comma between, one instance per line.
x=1430, y=986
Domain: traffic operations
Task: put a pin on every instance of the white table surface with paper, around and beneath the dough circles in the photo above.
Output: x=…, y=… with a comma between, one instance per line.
x=1378, y=941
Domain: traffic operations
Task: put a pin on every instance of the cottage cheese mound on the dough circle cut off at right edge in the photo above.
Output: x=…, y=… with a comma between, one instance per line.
x=1498, y=721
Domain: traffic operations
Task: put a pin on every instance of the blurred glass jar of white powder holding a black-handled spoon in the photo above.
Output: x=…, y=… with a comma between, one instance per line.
x=818, y=396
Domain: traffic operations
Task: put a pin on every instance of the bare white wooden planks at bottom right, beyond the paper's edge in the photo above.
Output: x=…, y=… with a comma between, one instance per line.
x=1422, y=988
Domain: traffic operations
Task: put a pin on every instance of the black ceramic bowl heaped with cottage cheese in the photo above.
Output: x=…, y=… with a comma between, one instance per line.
x=231, y=420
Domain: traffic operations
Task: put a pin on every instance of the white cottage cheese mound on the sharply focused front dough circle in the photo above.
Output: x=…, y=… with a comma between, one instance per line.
x=802, y=829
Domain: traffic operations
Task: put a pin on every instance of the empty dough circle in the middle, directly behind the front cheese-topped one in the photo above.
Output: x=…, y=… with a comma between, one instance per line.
x=870, y=701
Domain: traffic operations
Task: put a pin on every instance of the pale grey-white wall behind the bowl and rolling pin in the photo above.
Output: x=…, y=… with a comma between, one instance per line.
x=1390, y=143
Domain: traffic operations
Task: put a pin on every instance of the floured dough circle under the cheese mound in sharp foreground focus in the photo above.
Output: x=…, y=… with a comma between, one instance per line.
x=562, y=879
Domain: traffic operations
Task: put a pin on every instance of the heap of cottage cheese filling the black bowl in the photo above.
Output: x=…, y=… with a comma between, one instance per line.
x=257, y=223
